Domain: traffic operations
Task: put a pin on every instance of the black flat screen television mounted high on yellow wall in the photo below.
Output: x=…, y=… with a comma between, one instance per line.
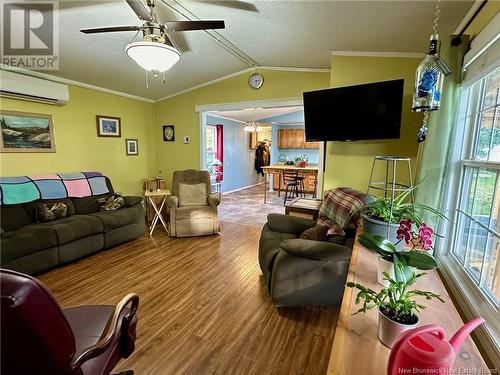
x=361, y=112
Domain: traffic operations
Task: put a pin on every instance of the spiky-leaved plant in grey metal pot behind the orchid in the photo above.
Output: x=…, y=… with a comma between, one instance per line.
x=382, y=217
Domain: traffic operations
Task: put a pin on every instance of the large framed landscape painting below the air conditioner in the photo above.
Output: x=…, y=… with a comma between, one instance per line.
x=26, y=132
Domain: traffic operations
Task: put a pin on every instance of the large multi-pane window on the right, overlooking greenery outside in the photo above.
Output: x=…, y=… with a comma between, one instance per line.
x=476, y=245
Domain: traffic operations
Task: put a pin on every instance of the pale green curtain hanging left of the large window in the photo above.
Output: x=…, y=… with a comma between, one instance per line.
x=434, y=154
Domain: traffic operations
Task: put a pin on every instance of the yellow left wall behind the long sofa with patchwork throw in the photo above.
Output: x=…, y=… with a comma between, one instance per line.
x=78, y=148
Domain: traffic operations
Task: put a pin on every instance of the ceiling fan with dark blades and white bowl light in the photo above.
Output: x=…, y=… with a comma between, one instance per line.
x=158, y=51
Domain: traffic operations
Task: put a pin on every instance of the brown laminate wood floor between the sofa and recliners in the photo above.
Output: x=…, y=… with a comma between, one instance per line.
x=203, y=307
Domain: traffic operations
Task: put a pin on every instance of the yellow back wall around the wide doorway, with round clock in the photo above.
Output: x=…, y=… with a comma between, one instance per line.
x=180, y=111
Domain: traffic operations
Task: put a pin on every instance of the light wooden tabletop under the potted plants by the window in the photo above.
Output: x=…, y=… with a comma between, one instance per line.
x=356, y=335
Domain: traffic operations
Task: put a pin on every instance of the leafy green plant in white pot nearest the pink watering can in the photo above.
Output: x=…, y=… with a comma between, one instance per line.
x=397, y=310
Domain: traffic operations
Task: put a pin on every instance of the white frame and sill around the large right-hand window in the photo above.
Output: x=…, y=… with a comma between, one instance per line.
x=471, y=300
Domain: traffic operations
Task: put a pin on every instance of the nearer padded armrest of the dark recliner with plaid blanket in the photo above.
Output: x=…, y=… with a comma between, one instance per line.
x=317, y=250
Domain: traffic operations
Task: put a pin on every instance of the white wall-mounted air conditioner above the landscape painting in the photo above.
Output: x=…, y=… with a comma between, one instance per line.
x=24, y=87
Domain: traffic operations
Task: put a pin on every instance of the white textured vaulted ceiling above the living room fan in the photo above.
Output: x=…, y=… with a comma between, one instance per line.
x=278, y=33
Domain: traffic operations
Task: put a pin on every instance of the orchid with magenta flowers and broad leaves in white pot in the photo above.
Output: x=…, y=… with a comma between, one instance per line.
x=396, y=262
